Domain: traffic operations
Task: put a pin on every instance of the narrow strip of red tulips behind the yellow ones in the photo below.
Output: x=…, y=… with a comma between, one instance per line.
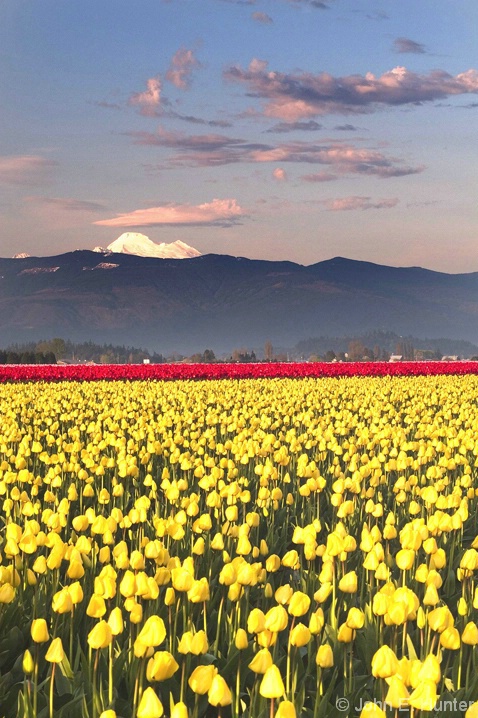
x=161, y=372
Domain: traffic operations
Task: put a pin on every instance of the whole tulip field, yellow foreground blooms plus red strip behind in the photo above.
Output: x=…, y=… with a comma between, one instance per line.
x=266, y=545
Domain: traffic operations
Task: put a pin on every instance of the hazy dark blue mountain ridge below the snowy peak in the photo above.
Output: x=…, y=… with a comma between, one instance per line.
x=223, y=302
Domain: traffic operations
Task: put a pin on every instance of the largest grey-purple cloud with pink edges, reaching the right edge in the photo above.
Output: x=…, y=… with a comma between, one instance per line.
x=292, y=97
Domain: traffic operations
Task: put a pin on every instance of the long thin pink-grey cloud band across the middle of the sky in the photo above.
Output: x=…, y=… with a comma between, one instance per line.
x=216, y=149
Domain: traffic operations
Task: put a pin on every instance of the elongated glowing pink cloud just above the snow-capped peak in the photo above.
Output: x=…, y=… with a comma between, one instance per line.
x=222, y=212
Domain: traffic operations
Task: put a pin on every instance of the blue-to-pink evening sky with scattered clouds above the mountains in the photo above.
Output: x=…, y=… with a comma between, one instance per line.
x=272, y=129
